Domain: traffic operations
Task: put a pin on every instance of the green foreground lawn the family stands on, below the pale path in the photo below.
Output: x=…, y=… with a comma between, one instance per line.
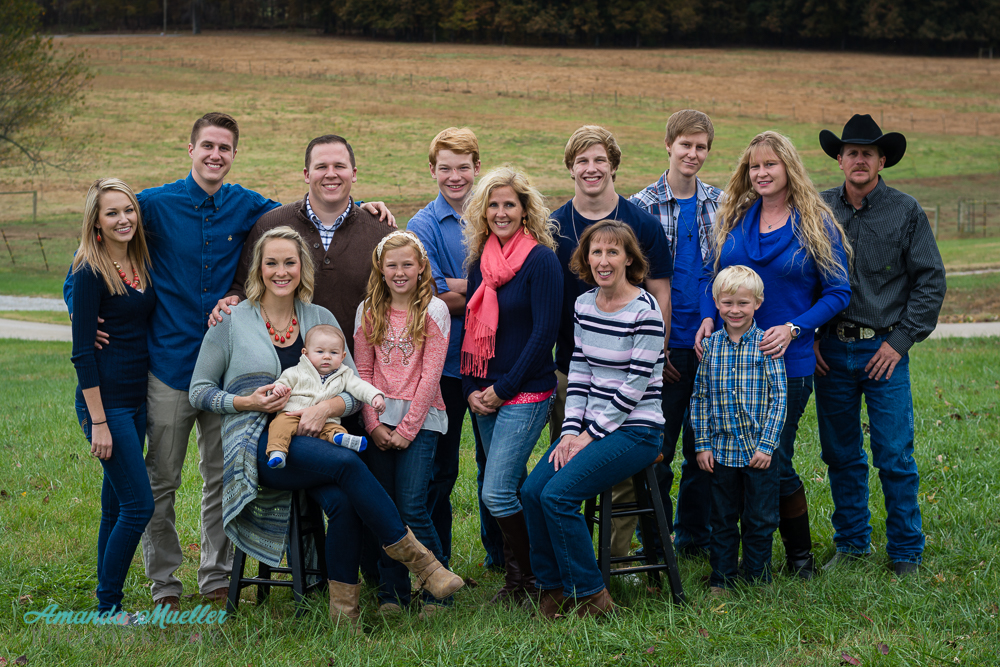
x=947, y=614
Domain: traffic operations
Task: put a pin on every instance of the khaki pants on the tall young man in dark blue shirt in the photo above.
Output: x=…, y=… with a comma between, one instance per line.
x=170, y=417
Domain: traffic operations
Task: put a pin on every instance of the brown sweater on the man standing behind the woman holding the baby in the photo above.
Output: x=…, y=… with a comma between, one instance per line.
x=341, y=272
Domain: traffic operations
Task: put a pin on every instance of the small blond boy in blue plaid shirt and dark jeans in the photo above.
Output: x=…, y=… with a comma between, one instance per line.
x=737, y=411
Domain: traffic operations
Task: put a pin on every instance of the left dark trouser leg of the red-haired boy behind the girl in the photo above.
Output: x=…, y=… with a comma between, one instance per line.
x=445, y=471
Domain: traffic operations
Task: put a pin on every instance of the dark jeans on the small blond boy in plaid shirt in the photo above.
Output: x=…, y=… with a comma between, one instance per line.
x=748, y=496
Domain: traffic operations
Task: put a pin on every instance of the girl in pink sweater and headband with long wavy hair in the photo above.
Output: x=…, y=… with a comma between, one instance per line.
x=400, y=344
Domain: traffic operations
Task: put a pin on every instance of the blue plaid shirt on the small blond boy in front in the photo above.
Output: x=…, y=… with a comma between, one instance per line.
x=739, y=400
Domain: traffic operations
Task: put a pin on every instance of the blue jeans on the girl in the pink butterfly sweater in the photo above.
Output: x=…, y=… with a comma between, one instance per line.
x=406, y=475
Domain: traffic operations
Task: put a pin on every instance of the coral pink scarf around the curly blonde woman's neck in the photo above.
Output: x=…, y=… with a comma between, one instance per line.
x=499, y=264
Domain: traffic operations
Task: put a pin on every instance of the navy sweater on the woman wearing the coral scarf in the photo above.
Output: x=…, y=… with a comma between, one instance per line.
x=530, y=305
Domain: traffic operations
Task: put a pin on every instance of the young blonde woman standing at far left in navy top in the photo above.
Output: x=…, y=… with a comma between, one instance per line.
x=111, y=274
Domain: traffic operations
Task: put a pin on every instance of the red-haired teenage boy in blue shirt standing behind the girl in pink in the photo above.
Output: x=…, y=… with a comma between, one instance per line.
x=454, y=165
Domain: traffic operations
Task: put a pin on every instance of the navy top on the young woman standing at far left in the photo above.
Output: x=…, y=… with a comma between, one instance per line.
x=120, y=369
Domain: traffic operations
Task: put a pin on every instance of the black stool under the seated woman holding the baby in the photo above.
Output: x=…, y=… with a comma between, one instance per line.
x=306, y=519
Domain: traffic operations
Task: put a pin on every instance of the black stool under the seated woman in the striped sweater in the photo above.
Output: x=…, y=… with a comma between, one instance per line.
x=653, y=518
